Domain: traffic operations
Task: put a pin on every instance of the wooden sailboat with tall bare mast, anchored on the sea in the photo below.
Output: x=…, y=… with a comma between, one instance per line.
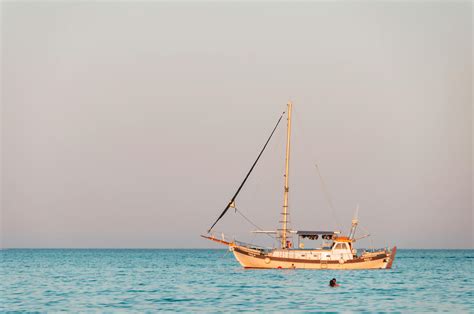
x=337, y=251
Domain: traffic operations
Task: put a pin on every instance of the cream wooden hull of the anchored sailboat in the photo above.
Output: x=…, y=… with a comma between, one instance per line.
x=253, y=259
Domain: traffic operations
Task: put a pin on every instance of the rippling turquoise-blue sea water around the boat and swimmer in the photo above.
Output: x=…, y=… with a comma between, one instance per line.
x=211, y=280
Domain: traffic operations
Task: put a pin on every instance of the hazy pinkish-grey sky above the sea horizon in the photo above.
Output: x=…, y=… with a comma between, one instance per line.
x=132, y=124
